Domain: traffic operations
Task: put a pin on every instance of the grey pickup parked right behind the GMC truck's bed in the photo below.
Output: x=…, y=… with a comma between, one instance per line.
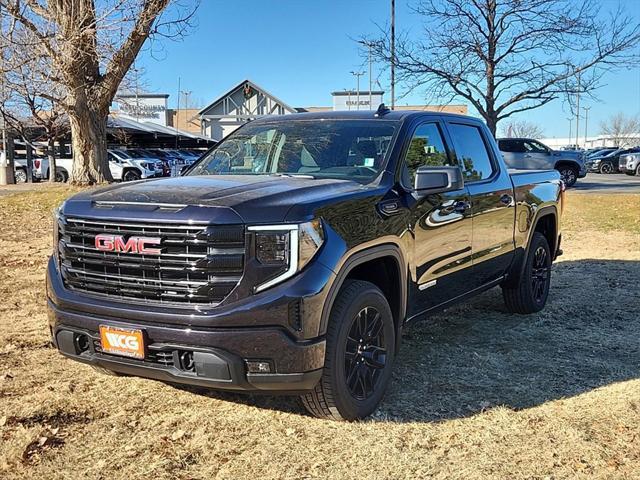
x=530, y=154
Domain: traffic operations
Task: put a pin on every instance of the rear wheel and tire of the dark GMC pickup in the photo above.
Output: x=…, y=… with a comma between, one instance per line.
x=529, y=293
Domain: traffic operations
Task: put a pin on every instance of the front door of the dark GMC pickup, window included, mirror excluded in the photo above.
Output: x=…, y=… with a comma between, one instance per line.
x=441, y=225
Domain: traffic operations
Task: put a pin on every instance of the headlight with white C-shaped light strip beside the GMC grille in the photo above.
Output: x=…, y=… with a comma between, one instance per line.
x=283, y=250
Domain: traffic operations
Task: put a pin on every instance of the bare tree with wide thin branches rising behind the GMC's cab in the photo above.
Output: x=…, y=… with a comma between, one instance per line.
x=510, y=56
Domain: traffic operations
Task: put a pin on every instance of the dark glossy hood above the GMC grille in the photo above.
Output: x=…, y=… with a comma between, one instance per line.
x=215, y=198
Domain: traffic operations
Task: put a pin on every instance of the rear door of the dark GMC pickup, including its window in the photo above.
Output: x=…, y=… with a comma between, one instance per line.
x=492, y=202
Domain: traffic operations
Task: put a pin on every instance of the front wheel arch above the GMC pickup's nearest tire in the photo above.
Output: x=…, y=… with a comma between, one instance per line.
x=382, y=265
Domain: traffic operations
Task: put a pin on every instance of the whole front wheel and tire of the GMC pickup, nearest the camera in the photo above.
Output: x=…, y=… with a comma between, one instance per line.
x=357, y=371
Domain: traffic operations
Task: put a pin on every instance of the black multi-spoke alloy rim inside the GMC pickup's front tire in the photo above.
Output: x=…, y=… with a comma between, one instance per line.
x=365, y=353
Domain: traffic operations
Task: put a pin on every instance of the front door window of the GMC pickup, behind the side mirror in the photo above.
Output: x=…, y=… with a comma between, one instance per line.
x=426, y=148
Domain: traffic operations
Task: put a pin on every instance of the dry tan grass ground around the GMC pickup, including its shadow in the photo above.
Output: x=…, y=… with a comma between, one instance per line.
x=477, y=393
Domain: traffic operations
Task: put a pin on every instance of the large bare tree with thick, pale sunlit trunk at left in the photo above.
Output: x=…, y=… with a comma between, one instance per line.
x=87, y=47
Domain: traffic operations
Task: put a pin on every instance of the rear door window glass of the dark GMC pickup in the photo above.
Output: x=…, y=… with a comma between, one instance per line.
x=471, y=152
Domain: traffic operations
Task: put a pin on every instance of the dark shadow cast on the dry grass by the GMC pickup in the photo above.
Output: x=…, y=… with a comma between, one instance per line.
x=477, y=355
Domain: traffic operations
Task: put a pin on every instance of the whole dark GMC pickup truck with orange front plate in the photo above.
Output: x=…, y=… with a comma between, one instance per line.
x=290, y=257
